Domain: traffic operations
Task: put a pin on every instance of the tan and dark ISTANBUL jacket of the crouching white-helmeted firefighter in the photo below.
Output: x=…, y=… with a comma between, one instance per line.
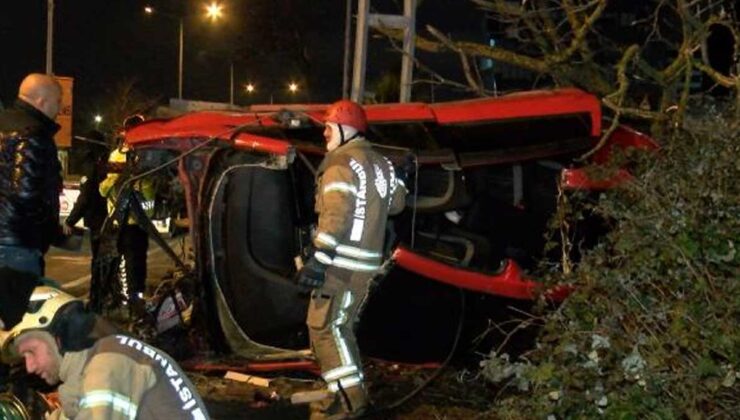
x=122, y=378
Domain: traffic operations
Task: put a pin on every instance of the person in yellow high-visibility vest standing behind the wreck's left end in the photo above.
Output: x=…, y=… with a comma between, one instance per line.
x=133, y=241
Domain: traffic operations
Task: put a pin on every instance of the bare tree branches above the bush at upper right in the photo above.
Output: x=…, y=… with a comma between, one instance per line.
x=640, y=68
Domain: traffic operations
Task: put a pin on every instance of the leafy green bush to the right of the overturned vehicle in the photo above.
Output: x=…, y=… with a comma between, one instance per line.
x=652, y=330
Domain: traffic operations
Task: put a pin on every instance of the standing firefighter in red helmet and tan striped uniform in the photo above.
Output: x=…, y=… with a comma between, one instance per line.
x=356, y=190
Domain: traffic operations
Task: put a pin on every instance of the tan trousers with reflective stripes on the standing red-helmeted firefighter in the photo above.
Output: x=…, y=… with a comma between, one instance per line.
x=333, y=313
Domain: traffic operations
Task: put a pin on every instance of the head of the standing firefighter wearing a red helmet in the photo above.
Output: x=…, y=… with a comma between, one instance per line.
x=344, y=121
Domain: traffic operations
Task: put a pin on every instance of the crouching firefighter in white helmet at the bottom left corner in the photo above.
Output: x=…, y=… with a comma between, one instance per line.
x=104, y=374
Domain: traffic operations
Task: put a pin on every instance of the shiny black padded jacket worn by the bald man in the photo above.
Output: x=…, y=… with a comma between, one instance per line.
x=30, y=178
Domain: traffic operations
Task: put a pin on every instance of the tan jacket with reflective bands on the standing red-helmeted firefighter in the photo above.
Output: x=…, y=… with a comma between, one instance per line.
x=356, y=190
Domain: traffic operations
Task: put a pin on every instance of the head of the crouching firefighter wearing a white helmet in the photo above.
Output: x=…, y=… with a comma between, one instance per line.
x=54, y=322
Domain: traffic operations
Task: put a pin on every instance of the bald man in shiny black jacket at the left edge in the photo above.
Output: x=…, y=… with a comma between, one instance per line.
x=30, y=175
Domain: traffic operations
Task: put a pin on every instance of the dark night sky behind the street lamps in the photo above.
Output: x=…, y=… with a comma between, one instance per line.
x=104, y=43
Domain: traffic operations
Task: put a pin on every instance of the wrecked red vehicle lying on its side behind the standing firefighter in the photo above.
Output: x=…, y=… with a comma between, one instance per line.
x=488, y=173
